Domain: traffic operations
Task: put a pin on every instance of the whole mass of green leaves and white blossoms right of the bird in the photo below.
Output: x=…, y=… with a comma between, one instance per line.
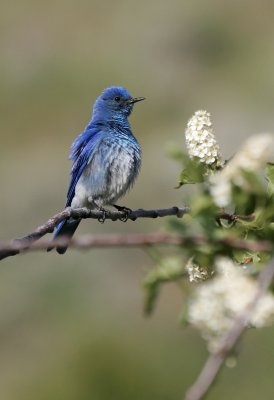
x=229, y=286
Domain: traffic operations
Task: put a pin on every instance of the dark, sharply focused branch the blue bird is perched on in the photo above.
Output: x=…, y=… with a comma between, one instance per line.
x=16, y=245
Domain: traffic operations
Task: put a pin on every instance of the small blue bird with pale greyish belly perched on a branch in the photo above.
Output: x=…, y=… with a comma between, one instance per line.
x=106, y=158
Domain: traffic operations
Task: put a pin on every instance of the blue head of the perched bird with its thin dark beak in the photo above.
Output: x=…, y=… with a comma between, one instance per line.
x=115, y=103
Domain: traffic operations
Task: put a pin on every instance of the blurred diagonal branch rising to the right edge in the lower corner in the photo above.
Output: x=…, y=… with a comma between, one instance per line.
x=216, y=360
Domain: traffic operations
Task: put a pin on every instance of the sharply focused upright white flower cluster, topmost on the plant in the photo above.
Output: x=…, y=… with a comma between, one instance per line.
x=200, y=140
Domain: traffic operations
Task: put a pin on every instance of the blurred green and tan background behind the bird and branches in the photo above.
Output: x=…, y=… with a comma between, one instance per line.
x=72, y=327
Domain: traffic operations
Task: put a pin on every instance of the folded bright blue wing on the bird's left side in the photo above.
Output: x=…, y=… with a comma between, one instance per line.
x=81, y=152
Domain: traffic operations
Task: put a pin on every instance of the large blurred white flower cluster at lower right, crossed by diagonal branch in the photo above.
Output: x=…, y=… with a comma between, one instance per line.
x=217, y=303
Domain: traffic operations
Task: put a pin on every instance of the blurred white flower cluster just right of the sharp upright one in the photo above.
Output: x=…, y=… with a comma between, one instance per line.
x=252, y=157
